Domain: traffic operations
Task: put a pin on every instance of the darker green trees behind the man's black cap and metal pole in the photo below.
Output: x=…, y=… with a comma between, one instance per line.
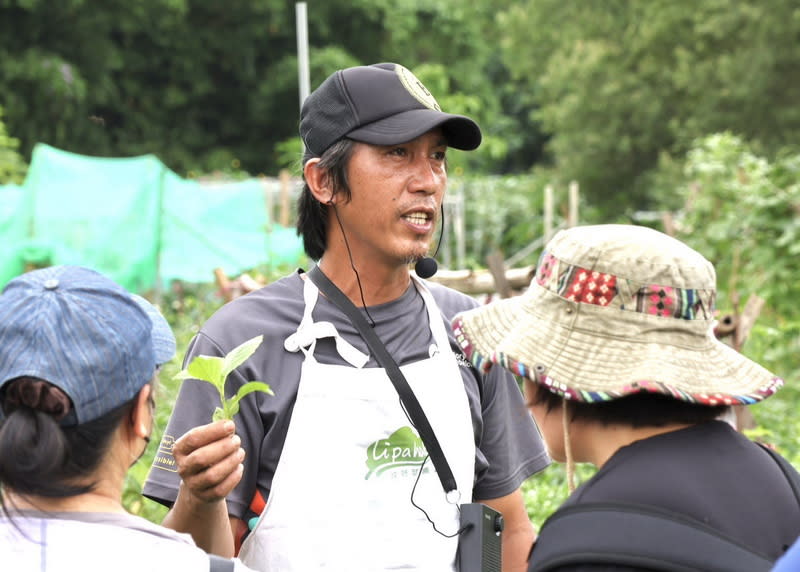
x=208, y=85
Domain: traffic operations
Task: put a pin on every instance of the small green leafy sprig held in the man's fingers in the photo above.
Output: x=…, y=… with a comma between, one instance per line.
x=215, y=370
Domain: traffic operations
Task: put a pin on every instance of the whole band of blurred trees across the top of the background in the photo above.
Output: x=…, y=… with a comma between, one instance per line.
x=608, y=87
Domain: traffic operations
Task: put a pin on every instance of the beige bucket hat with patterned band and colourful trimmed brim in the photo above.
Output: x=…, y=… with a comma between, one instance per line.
x=615, y=310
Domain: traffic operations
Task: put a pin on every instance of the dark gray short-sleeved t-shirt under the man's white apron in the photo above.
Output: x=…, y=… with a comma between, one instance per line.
x=508, y=445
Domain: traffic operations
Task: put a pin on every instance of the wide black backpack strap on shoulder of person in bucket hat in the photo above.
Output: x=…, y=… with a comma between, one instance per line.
x=638, y=536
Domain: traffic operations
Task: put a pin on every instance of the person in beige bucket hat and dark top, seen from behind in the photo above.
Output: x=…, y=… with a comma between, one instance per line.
x=614, y=341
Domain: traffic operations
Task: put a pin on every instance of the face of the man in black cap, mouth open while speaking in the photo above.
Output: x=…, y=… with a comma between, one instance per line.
x=396, y=193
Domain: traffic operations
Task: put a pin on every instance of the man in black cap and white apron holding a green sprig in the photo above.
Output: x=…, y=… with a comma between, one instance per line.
x=345, y=477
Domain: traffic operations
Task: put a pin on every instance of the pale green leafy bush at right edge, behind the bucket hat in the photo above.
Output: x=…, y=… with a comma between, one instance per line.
x=741, y=211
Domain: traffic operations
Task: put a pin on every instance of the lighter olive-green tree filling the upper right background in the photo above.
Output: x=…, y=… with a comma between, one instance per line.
x=620, y=82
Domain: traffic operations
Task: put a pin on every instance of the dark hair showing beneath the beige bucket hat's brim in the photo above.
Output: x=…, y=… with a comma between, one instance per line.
x=644, y=409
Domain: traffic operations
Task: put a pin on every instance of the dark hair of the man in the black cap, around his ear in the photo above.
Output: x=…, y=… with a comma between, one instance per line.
x=312, y=221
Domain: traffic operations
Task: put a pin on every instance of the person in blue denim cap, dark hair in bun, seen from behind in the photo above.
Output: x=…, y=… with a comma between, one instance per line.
x=78, y=362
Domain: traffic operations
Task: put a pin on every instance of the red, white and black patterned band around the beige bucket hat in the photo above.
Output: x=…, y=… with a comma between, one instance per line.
x=585, y=286
